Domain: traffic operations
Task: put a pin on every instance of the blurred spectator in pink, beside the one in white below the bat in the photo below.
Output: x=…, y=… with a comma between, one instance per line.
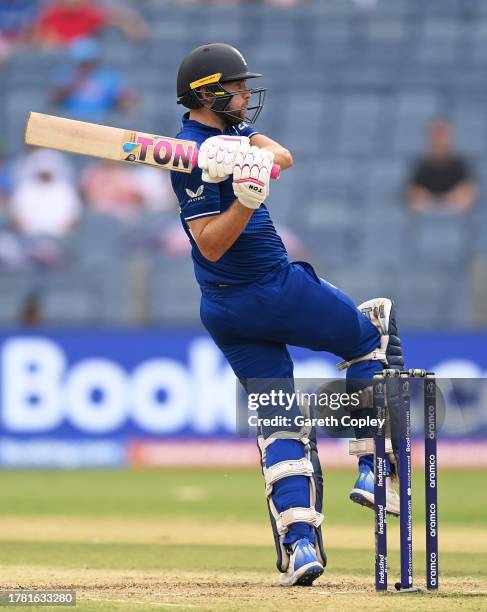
x=113, y=188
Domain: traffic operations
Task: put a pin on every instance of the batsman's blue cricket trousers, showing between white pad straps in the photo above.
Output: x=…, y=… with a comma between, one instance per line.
x=252, y=324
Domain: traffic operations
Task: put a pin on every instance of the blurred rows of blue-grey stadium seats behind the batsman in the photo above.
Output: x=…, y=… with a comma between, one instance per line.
x=352, y=86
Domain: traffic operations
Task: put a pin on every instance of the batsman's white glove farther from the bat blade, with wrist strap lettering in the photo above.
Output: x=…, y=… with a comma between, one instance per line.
x=251, y=176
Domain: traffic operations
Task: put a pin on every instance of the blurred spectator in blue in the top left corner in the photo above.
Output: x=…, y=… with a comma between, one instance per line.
x=17, y=18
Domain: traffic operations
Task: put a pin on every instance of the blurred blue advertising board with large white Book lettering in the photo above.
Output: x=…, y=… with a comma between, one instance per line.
x=99, y=398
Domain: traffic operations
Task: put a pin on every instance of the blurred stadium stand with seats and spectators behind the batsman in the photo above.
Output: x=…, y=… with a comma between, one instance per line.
x=353, y=89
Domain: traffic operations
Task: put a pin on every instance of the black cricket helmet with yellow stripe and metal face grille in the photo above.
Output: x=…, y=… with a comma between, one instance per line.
x=211, y=66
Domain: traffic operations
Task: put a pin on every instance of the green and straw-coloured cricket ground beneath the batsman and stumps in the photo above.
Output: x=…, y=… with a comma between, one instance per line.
x=199, y=540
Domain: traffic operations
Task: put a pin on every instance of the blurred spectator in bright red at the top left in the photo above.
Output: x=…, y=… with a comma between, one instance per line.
x=66, y=21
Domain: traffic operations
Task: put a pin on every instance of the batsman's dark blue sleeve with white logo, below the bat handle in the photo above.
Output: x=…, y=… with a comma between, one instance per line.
x=196, y=198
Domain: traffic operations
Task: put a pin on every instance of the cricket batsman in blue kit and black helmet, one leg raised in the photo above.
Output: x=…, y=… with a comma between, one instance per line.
x=255, y=302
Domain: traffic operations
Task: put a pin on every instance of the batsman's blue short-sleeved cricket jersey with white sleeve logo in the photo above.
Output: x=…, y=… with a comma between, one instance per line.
x=256, y=252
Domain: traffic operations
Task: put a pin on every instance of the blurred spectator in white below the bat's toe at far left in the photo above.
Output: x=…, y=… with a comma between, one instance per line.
x=44, y=202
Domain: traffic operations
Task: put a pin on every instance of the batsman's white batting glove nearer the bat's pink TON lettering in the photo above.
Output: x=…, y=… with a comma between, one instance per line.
x=217, y=156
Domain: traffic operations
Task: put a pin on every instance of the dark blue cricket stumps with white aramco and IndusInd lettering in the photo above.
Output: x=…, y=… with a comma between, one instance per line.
x=401, y=435
